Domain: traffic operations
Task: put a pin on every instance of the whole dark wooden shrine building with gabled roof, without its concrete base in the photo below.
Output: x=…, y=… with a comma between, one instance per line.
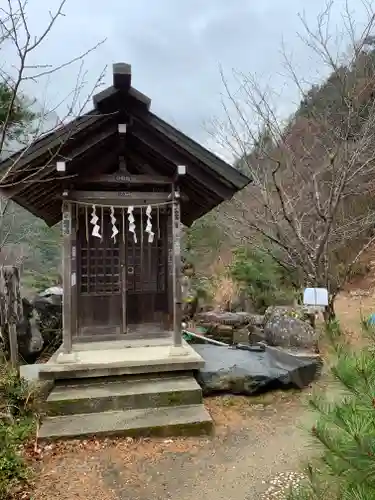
x=121, y=180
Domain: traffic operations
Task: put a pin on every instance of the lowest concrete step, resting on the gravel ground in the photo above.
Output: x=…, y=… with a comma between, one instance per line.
x=190, y=420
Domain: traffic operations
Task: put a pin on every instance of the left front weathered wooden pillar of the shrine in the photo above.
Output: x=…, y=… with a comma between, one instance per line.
x=67, y=276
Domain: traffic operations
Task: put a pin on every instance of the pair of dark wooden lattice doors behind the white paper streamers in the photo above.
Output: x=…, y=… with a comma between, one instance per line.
x=122, y=282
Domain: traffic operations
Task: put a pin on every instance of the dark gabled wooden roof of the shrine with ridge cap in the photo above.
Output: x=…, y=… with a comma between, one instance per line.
x=90, y=145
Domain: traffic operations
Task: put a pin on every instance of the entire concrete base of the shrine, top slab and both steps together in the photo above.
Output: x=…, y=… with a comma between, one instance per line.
x=124, y=388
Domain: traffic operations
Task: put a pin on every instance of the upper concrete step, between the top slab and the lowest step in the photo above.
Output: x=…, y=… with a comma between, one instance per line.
x=125, y=394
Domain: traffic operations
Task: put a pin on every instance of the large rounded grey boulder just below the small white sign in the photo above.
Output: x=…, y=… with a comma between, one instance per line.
x=283, y=329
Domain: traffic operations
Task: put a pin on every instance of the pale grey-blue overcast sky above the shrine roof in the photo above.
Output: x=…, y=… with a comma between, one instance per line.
x=175, y=48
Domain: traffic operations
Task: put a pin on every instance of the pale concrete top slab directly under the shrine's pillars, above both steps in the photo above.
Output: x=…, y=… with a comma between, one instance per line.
x=116, y=358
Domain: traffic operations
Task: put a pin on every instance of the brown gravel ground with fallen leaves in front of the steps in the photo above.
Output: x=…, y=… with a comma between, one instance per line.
x=257, y=450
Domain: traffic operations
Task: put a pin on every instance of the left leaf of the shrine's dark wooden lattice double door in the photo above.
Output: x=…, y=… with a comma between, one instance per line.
x=100, y=266
